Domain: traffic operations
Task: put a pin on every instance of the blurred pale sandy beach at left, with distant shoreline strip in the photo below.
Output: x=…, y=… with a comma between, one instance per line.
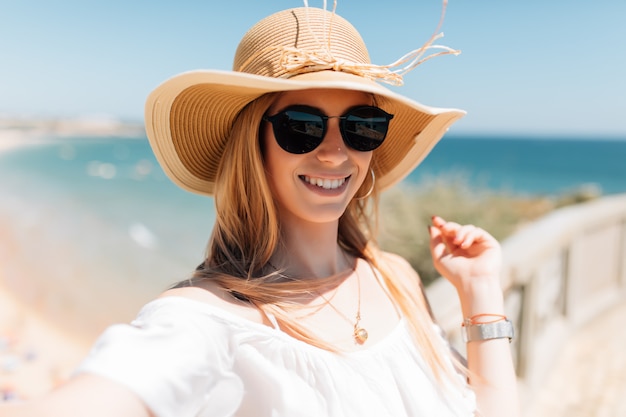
x=45, y=333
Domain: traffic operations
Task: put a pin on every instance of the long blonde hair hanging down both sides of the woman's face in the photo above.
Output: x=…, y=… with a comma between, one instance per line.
x=247, y=233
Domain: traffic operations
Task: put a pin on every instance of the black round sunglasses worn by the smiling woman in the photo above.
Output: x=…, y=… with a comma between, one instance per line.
x=300, y=129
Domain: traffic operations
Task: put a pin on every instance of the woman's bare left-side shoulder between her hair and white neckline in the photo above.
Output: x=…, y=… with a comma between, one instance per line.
x=216, y=296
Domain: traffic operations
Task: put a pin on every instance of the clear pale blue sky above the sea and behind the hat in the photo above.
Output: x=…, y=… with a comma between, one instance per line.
x=532, y=67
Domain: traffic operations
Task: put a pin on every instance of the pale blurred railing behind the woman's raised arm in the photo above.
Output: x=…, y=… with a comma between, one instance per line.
x=559, y=273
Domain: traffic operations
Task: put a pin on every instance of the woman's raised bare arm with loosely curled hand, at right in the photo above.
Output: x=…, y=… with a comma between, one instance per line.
x=470, y=259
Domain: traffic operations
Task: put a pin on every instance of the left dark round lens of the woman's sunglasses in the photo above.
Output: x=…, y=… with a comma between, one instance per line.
x=298, y=131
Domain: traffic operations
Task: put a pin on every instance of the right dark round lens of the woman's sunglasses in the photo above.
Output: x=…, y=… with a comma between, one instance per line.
x=365, y=128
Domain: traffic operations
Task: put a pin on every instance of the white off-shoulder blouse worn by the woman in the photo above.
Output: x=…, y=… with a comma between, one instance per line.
x=185, y=358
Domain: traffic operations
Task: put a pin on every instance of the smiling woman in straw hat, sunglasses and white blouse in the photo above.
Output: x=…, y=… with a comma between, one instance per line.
x=295, y=311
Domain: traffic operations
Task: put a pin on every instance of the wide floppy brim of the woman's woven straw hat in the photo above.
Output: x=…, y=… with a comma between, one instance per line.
x=188, y=119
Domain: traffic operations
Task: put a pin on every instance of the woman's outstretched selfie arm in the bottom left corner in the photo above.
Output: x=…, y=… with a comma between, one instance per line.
x=84, y=395
